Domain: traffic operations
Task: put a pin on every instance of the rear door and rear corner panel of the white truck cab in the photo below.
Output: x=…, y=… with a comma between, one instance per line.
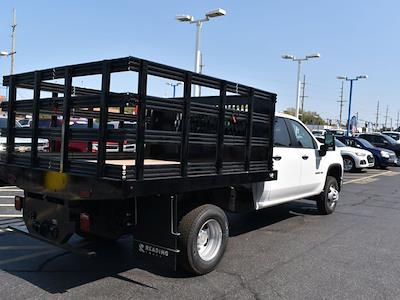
x=288, y=167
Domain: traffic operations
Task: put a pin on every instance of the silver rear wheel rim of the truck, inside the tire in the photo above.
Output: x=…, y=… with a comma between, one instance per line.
x=209, y=240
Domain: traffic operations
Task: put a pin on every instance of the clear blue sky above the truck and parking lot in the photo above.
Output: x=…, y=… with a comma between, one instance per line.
x=353, y=37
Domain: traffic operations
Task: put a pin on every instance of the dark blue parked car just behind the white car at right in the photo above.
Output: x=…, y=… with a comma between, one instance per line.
x=383, y=157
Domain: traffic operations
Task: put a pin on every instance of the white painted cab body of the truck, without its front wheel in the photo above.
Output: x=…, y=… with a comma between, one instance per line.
x=302, y=171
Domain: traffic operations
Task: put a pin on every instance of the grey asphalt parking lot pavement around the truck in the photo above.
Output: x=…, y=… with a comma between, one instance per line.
x=288, y=252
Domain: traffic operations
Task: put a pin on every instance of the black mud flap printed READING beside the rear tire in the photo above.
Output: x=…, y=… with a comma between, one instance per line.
x=155, y=234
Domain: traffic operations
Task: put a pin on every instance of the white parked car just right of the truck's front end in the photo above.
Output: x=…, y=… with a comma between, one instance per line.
x=354, y=159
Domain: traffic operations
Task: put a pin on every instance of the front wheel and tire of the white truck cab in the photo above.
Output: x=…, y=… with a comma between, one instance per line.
x=326, y=202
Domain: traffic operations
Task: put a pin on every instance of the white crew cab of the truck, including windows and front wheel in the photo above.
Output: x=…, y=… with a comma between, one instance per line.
x=306, y=168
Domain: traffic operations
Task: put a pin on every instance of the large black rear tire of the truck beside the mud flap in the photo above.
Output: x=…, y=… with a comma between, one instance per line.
x=189, y=227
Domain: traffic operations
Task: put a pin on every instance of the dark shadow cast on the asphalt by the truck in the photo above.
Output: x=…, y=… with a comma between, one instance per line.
x=56, y=271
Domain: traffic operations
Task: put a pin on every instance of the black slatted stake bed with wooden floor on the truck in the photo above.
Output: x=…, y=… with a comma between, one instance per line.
x=160, y=144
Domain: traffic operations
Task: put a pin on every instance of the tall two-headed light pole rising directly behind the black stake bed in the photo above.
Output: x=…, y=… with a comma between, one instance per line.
x=199, y=23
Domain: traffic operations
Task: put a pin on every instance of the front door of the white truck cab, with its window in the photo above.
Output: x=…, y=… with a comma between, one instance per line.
x=307, y=153
